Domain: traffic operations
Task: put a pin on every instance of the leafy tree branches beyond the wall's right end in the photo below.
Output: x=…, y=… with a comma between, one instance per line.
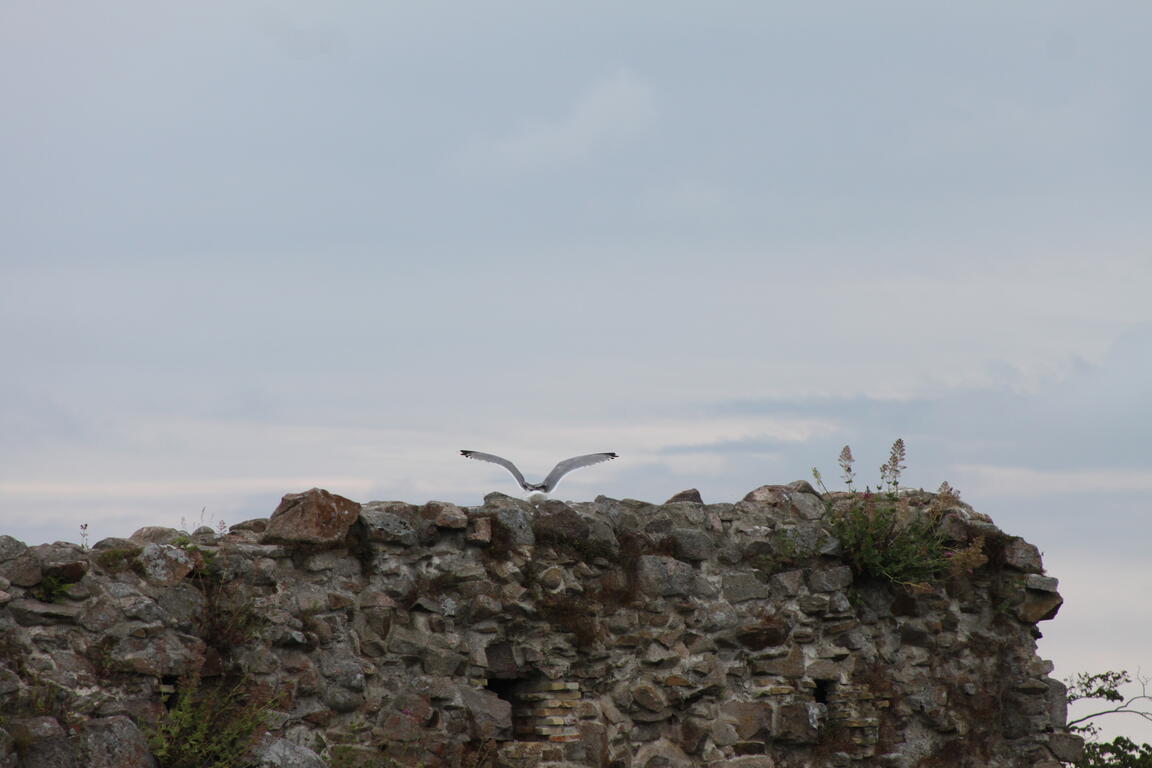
x=1120, y=752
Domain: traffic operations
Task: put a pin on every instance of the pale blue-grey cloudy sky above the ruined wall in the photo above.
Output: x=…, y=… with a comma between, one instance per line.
x=253, y=248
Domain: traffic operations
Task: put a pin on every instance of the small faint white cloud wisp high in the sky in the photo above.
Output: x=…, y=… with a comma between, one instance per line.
x=611, y=111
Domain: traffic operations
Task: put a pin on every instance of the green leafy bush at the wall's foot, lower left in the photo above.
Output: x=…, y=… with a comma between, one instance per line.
x=209, y=727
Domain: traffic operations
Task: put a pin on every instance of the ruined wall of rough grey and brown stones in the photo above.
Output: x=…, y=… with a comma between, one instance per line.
x=610, y=634
